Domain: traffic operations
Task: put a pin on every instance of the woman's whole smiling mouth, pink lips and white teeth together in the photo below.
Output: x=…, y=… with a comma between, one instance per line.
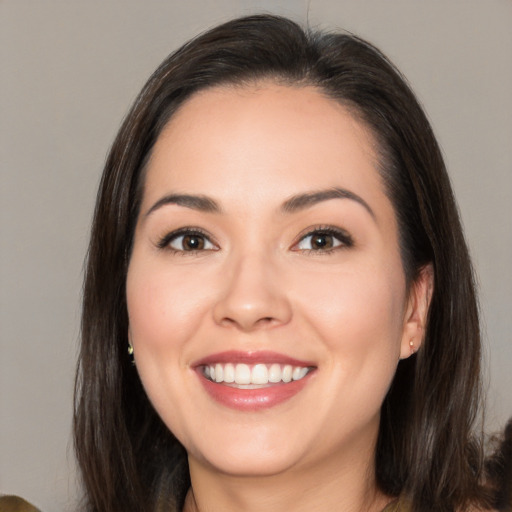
x=251, y=381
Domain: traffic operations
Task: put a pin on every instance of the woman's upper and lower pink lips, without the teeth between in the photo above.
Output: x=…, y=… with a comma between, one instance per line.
x=251, y=399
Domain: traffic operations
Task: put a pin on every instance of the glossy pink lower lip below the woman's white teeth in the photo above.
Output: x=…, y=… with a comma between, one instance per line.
x=253, y=399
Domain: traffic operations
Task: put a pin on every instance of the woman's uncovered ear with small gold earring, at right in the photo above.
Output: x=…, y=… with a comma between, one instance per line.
x=416, y=312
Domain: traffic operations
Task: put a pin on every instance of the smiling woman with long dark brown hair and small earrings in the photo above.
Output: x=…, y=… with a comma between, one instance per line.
x=277, y=246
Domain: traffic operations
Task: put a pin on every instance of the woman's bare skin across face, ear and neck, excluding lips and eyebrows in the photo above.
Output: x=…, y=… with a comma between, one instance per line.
x=256, y=286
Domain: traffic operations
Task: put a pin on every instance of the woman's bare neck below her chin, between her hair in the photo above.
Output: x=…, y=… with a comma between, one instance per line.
x=346, y=483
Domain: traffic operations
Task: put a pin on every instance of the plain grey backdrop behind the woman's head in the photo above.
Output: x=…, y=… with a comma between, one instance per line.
x=70, y=69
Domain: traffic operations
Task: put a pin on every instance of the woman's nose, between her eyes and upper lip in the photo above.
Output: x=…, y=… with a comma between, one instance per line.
x=253, y=296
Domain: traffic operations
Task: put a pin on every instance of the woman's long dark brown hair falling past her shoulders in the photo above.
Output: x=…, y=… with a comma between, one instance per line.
x=427, y=450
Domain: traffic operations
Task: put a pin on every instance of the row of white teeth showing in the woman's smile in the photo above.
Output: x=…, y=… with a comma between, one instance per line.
x=259, y=374
